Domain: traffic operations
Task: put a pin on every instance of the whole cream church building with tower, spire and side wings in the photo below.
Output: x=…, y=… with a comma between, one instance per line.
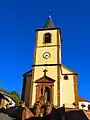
x=48, y=78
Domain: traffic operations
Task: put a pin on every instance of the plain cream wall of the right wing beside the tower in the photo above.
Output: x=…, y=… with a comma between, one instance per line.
x=68, y=95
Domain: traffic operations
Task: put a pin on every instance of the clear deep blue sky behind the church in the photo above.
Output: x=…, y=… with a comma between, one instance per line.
x=18, y=21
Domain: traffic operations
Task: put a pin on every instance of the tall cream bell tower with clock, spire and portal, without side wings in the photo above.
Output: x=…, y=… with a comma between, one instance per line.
x=47, y=60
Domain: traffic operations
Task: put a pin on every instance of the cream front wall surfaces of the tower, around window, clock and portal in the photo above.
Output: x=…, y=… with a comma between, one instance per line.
x=52, y=70
